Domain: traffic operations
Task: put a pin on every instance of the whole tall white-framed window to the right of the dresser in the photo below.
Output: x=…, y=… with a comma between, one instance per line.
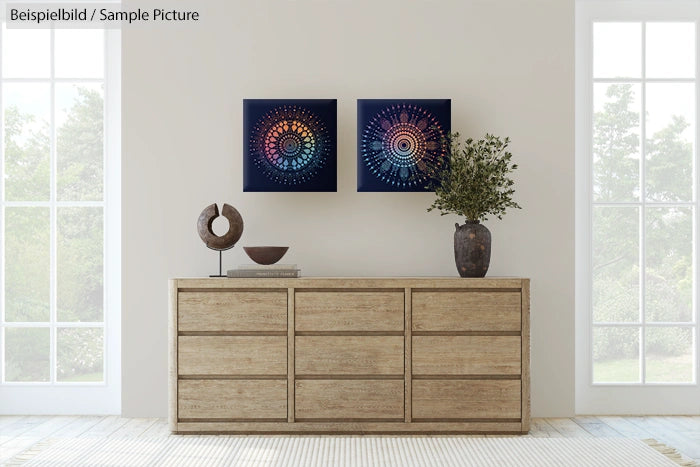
x=636, y=204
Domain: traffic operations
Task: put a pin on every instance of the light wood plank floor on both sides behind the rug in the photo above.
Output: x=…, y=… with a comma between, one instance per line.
x=19, y=433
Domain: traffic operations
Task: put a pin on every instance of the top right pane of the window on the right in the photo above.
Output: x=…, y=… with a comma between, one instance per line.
x=670, y=50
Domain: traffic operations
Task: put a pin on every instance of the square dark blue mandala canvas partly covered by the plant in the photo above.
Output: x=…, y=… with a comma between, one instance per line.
x=400, y=143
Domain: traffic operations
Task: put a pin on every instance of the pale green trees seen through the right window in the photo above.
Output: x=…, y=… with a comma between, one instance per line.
x=668, y=262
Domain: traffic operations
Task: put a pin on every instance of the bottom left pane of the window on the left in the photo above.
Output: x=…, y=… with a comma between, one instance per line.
x=27, y=354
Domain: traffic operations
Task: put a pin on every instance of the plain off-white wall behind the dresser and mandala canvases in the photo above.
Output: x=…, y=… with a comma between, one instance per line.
x=508, y=67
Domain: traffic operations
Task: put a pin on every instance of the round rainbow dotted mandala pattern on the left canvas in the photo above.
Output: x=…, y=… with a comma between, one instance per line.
x=290, y=144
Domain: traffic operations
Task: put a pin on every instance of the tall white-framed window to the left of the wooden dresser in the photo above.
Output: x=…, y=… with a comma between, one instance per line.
x=59, y=218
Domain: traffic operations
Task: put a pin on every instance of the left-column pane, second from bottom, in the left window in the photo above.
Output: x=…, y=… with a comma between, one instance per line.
x=27, y=265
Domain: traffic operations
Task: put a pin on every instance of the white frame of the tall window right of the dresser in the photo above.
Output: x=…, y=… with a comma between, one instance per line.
x=621, y=398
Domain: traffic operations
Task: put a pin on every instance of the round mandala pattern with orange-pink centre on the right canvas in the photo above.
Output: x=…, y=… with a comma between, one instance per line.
x=402, y=145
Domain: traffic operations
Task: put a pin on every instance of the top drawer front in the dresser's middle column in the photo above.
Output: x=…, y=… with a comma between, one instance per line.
x=349, y=311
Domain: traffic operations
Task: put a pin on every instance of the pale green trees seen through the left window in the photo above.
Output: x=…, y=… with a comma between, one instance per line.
x=79, y=241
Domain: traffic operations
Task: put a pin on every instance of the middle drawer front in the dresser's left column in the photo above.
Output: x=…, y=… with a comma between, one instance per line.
x=232, y=355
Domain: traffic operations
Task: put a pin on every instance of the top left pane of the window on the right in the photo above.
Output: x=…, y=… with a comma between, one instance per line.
x=617, y=50
